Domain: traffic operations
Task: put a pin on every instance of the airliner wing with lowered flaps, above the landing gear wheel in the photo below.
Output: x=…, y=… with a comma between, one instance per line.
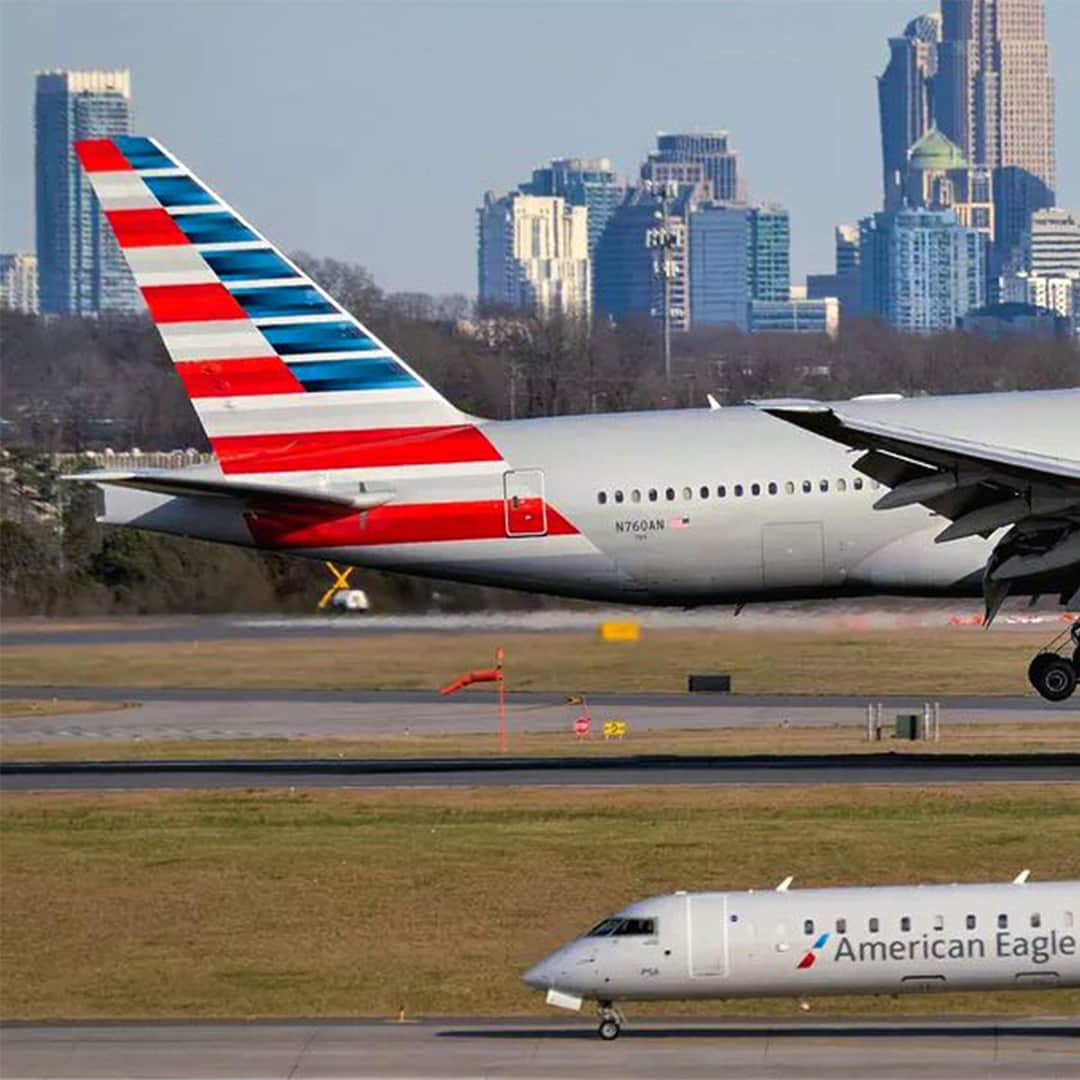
x=978, y=487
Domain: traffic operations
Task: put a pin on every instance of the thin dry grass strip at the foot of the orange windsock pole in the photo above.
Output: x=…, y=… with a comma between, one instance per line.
x=970, y=739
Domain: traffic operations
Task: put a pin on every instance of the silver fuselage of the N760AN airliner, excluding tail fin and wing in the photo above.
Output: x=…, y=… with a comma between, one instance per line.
x=667, y=508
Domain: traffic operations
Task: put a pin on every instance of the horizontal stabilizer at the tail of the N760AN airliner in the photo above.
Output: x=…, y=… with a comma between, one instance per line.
x=180, y=482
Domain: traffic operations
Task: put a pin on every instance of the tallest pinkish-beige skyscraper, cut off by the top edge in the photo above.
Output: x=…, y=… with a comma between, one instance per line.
x=994, y=99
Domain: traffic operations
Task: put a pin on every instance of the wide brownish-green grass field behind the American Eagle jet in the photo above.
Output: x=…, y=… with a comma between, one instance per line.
x=361, y=903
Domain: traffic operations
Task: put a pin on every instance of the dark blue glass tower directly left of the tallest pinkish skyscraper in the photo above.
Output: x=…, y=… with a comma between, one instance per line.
x=906, y=100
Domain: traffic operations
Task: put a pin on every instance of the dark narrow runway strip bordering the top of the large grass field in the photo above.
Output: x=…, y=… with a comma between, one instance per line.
x=631, y=771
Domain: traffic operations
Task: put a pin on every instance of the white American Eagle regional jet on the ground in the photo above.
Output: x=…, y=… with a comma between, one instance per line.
x=799, y=943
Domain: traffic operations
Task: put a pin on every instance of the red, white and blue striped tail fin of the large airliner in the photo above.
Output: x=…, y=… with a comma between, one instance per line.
x=282, y=377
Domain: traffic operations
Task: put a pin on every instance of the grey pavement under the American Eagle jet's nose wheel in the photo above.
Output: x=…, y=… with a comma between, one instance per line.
x=448, y=1050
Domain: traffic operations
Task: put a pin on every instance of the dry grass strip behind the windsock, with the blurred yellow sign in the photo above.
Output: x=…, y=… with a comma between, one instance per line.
x=954, y=660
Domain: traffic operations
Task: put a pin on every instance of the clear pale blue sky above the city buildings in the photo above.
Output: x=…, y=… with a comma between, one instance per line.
x=370, y=131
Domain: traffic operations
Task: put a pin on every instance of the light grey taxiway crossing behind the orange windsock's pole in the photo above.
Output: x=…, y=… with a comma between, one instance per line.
x=166, y=713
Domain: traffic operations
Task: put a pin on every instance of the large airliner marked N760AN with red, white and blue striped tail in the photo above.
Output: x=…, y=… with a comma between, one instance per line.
x=329, y=445
